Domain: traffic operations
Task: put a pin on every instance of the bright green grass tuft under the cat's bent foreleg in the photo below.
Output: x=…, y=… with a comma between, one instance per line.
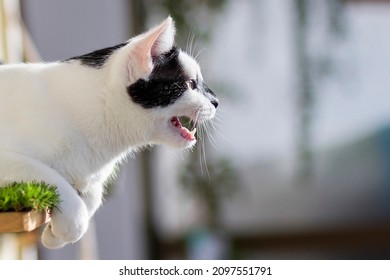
x=26, y=196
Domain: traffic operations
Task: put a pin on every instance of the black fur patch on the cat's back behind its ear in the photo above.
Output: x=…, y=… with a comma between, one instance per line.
x=96, y=59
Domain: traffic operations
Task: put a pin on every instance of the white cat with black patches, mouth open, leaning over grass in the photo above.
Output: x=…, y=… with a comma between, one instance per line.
x=68, y=123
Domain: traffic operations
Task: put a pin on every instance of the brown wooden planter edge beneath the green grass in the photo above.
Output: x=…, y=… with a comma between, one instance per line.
x=22, y=221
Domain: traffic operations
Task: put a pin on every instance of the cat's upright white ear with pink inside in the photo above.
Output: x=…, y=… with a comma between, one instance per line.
x=153, y=43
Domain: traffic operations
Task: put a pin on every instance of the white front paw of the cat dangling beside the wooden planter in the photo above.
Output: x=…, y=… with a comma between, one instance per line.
x=65, y=227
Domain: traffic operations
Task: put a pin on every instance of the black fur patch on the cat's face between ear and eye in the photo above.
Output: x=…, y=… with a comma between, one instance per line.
x=165, y=85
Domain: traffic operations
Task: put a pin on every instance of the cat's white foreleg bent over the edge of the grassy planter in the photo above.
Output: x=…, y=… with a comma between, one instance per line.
x=70, y=221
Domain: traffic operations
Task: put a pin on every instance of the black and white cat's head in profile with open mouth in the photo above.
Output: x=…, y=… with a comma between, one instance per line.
x=165, y=83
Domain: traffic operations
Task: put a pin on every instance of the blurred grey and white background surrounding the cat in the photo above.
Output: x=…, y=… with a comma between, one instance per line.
x=296, y=164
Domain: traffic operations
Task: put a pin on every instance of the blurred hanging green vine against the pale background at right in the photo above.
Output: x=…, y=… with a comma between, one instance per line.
x=311, y=69
